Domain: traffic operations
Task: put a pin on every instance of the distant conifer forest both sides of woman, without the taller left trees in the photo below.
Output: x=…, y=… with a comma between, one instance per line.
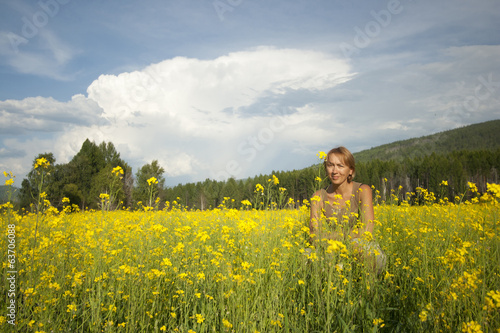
x=456, y=168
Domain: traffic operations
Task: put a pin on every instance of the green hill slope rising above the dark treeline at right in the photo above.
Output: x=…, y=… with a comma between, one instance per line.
x=481, y=136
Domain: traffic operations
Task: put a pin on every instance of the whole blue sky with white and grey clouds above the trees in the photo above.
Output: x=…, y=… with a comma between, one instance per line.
x=237, y=88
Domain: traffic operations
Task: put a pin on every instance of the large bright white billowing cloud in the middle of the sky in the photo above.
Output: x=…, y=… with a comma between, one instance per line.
x=202, y=115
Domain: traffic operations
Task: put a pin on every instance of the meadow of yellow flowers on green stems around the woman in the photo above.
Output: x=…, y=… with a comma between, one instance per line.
x=251, y=270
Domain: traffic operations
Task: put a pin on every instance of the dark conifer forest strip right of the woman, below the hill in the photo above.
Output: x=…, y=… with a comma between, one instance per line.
x=456, y=168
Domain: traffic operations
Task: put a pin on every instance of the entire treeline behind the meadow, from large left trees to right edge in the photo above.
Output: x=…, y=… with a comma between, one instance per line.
x=93, y=171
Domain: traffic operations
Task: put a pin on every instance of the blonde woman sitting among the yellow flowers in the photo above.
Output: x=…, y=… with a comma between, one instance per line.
x=347, y=208
